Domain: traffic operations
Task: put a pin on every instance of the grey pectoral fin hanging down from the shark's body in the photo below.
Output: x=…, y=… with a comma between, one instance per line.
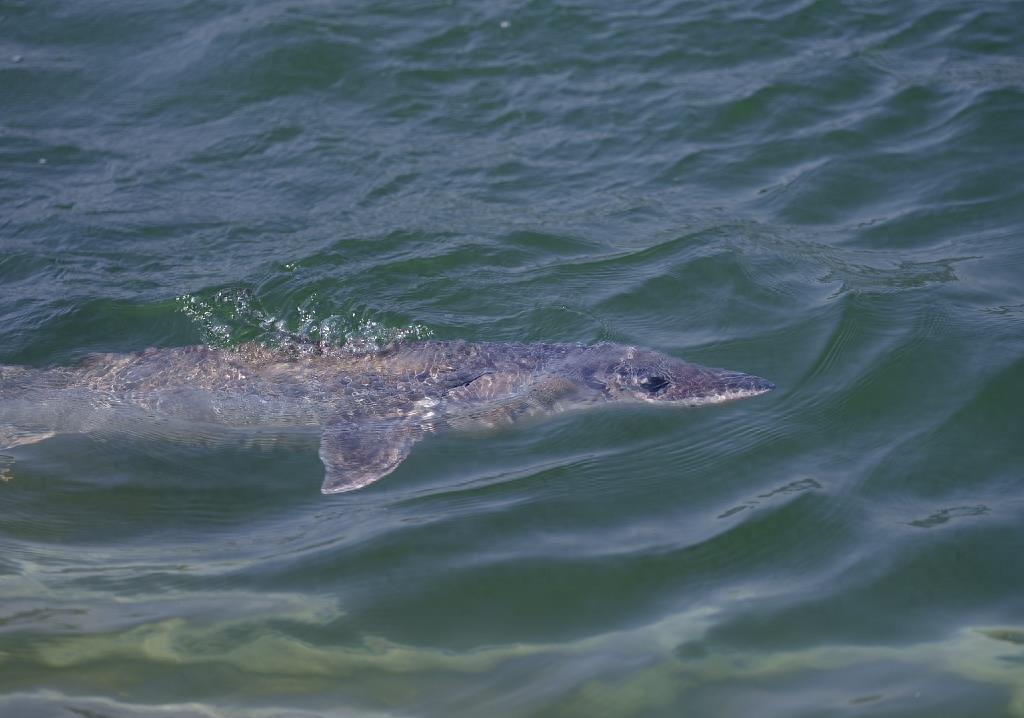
x=357, y=454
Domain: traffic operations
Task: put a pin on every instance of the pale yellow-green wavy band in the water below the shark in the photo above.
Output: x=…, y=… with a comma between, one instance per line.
x=250, y=646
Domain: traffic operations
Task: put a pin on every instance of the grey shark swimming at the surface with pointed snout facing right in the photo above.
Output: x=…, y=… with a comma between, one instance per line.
x=370, y=407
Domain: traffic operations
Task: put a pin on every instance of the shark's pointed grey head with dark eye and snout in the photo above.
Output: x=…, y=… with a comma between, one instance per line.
x=626, y=373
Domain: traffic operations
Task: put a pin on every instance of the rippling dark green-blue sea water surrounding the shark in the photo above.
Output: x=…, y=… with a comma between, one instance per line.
x=829, y=194
